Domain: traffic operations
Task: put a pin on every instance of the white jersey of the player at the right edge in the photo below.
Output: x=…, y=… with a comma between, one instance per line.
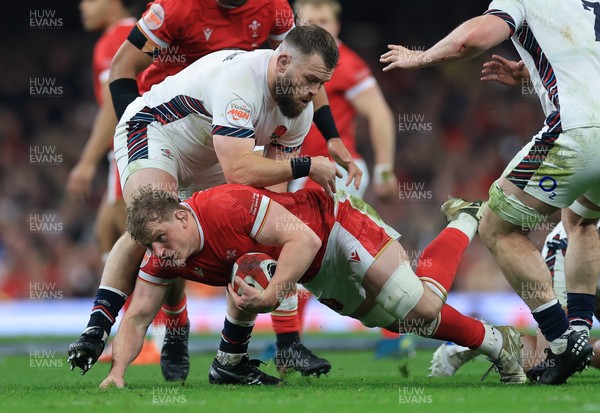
x=559, y=42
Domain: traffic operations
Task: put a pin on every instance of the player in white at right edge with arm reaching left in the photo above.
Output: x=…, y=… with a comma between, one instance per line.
x=558, y=42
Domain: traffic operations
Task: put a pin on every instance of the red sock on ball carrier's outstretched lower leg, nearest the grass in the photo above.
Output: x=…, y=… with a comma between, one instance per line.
x=459, y=328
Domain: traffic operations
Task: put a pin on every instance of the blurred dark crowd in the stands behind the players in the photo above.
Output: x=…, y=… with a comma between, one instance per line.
x=455, y=134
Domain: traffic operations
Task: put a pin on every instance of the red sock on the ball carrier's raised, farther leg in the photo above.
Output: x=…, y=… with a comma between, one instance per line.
x=438, y=264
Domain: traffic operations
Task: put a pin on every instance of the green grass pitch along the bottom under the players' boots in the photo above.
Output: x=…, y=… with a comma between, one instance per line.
x=357, y=383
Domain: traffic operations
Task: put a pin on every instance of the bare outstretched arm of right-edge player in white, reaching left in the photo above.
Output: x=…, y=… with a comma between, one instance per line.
x=467, y=41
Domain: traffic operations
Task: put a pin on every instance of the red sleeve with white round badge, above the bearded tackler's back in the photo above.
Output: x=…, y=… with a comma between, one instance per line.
x=164, y=21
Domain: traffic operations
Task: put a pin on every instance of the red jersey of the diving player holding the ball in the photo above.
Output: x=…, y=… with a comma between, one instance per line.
x=229, y=218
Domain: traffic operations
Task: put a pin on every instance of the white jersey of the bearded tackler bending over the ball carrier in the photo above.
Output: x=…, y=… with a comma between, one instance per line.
x=223, y=93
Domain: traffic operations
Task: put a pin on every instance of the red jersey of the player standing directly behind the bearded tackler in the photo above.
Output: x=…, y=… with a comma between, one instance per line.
x=186, y=30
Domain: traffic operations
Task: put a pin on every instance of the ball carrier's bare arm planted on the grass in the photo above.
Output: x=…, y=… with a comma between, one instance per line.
x=145, y=303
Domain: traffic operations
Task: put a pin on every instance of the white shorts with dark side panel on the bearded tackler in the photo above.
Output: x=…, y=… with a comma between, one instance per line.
x=143, y=143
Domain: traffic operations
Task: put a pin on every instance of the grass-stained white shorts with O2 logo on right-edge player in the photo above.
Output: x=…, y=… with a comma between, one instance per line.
x=558, y=168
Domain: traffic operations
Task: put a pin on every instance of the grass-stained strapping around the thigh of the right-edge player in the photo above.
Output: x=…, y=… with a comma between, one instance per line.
x=511, y=210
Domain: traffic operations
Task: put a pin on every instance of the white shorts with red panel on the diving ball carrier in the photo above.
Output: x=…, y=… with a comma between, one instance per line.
x=356, y=240
